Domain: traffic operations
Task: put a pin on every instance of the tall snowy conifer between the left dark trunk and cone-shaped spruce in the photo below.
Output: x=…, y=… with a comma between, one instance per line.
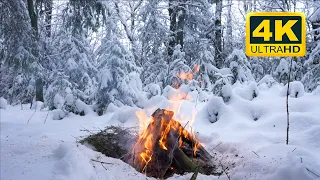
x=72, y=64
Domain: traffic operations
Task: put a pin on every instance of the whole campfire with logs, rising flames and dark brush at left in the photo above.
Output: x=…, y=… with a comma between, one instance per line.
x=164, y=146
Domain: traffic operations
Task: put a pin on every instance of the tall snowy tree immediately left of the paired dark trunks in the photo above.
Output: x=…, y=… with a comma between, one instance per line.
x=153, y=36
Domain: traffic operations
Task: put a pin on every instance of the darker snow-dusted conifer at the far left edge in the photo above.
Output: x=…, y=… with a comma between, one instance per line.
x=19, y=52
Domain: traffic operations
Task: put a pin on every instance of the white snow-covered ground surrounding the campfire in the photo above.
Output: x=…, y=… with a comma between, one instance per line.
x=248, y=138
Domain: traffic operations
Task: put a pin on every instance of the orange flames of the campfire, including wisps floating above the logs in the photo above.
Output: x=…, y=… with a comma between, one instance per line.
x=147, y=125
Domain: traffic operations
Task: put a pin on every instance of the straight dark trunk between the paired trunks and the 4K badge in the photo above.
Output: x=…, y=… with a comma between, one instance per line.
x=218, y=34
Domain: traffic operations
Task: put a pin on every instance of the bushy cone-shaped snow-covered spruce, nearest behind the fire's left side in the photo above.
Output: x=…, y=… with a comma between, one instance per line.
x=119, y=81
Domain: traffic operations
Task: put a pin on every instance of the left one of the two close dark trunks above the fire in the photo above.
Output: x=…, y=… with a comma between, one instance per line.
x=173, y=16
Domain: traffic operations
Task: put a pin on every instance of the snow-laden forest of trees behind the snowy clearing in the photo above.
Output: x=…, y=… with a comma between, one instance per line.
x=122, y=52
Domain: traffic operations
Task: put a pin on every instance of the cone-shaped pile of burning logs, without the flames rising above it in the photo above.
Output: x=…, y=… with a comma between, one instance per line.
x=166, y=147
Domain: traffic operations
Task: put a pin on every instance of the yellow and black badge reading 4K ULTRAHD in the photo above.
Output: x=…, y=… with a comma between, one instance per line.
x=275, y=34
